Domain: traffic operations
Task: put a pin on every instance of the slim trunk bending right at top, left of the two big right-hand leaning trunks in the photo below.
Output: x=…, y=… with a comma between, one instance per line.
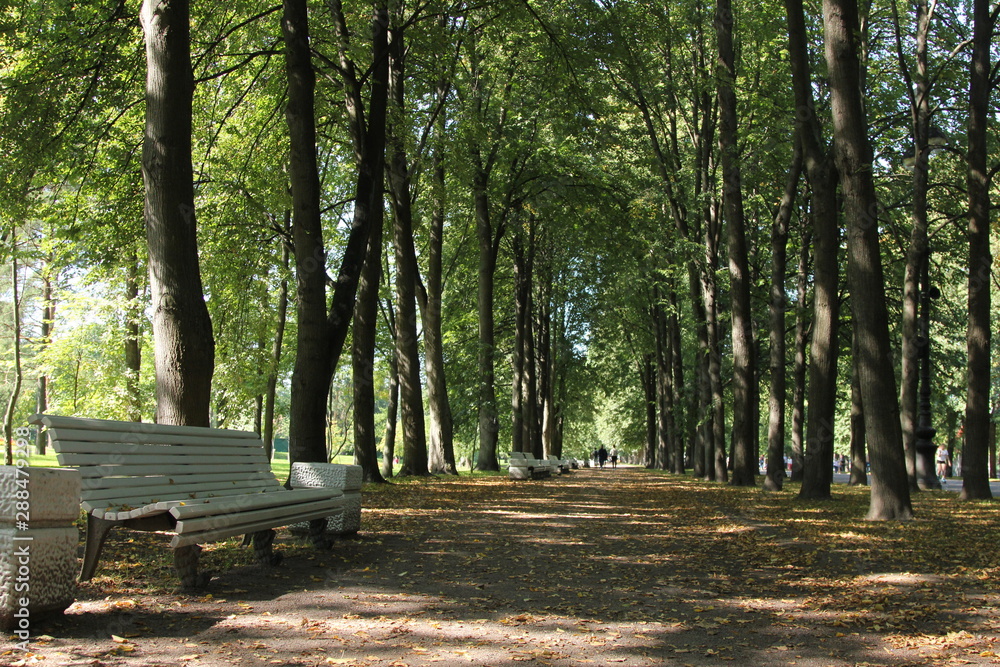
x=775, y=477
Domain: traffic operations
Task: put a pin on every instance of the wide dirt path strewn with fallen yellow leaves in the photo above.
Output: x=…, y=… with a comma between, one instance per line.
x=611, y=567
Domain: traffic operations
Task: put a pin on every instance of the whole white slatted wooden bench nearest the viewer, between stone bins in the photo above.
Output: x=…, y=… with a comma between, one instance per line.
x=200, y=484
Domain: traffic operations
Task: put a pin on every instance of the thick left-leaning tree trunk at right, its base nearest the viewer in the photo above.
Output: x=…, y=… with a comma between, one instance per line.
x=890, y=495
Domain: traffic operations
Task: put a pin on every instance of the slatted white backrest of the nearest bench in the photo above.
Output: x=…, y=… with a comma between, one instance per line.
x=135, y=463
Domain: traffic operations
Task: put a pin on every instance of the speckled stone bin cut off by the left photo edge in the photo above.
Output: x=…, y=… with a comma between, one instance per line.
x=38, y=543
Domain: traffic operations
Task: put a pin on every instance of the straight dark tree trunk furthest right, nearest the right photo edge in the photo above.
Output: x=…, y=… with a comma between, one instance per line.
x=975, y=474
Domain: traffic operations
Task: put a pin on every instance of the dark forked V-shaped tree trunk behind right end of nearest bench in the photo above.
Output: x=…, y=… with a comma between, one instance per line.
x=321, y=334
